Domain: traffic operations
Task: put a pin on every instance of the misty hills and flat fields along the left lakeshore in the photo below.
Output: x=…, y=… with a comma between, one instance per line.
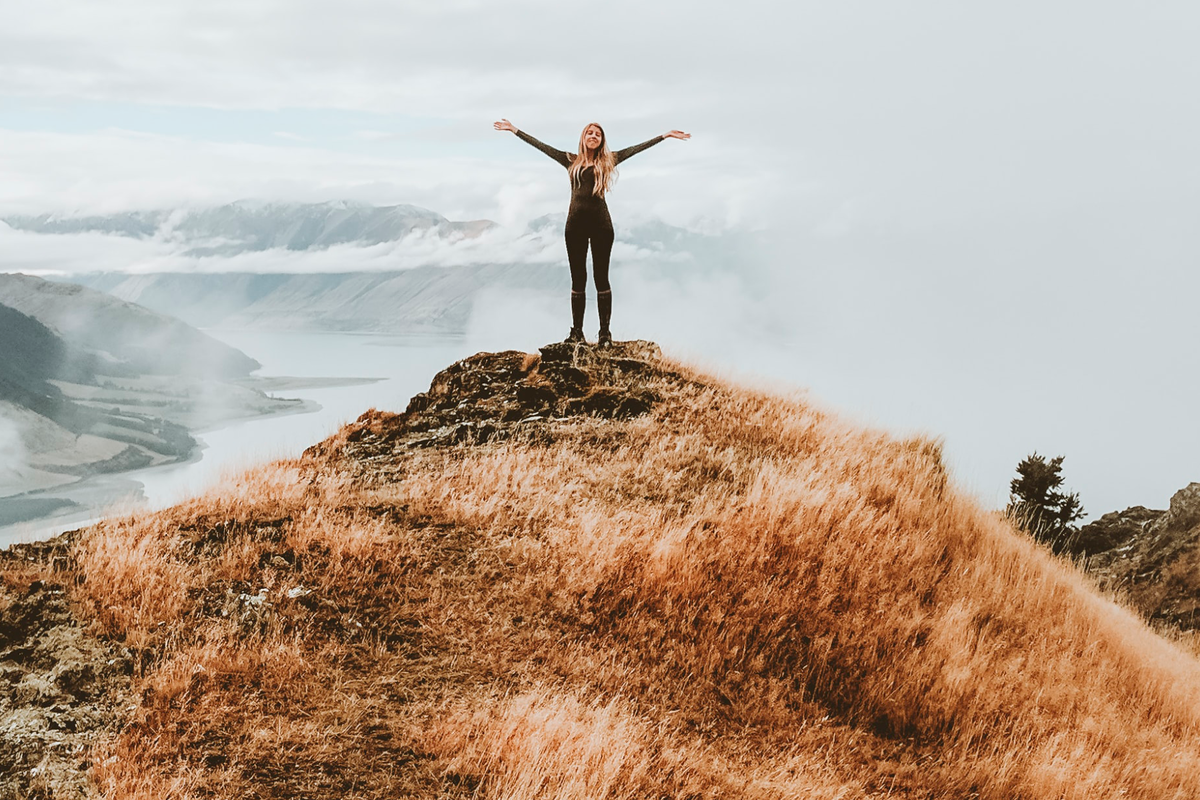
x=91, y=384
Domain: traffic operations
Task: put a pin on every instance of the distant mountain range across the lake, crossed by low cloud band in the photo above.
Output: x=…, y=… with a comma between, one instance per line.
x=429, y=298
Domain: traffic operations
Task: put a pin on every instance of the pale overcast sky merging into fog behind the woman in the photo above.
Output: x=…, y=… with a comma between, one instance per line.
x=981, y=218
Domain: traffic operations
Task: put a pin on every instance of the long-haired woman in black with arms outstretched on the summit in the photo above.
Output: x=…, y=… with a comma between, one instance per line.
x=593, y=171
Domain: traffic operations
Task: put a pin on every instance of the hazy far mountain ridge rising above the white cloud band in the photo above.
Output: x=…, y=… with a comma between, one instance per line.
x=249, y=226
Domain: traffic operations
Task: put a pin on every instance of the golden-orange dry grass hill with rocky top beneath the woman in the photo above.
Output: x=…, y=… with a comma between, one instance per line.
x=592, y=575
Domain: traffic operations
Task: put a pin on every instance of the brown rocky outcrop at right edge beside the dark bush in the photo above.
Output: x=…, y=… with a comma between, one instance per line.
x=1153, y=557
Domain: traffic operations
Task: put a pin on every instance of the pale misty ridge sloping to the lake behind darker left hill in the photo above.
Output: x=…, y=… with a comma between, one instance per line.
x=127, y=339
